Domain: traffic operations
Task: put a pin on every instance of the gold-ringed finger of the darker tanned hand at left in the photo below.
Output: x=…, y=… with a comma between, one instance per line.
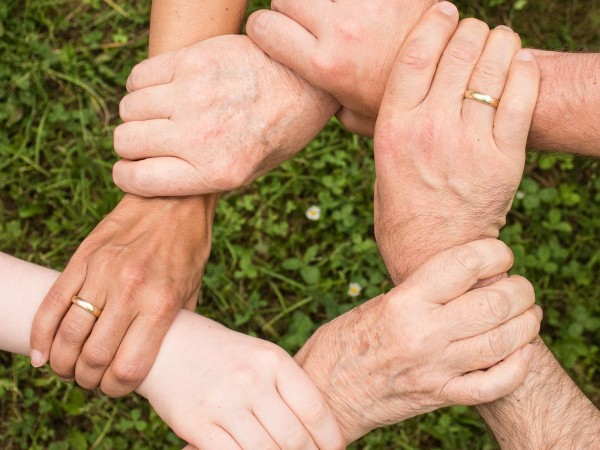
x=74, y=330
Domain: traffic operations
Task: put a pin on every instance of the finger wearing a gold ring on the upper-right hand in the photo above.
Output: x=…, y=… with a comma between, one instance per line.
x=490, y=74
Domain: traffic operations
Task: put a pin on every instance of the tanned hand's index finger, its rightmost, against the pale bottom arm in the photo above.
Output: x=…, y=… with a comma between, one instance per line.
x=137, y=352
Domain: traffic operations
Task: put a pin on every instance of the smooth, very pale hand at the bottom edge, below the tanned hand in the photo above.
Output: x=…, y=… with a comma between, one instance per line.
x=218, y=389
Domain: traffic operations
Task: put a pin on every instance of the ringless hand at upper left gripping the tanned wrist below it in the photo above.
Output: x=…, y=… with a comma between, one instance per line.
x=212, y=117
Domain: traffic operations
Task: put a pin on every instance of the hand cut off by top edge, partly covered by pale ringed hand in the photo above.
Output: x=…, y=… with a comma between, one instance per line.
x=344, y=48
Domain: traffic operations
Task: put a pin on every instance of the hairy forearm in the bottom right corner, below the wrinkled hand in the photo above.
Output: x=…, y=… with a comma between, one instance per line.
x=547, y=411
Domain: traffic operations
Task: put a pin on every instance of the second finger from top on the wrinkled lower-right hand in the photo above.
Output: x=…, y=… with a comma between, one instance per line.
x=483, y=309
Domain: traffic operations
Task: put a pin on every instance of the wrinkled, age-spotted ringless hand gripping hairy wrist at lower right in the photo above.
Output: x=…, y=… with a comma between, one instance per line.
x=428, y=342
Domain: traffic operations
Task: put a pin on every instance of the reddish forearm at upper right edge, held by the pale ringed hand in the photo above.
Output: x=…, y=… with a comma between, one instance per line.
x=566, y=116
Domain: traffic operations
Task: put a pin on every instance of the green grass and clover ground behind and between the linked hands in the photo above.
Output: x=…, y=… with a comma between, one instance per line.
x=63, y=66
